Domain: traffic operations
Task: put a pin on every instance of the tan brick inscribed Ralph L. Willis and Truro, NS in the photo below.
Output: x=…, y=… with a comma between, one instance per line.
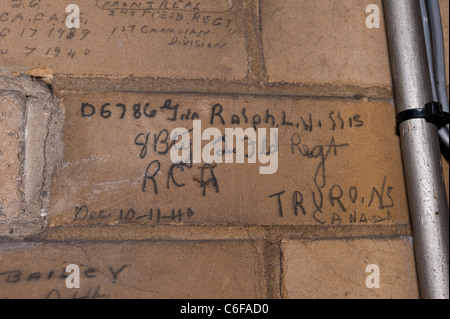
x=339, y=163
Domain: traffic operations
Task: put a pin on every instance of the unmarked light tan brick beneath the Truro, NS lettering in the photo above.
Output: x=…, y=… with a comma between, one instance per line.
x=337, y=268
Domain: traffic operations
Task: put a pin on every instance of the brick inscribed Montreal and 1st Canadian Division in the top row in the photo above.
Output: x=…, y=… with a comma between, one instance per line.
x=172, y=39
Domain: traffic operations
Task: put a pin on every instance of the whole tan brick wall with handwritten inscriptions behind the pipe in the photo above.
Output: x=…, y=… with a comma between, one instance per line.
x=339, y=177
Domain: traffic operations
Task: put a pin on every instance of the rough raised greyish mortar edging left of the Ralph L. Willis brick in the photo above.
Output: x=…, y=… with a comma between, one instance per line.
x=43, y=148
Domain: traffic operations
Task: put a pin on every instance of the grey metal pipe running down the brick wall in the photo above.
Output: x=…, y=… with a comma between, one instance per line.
x=427, y=197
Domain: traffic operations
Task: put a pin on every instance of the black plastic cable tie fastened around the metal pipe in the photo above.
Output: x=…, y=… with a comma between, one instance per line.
x=432, y=113
